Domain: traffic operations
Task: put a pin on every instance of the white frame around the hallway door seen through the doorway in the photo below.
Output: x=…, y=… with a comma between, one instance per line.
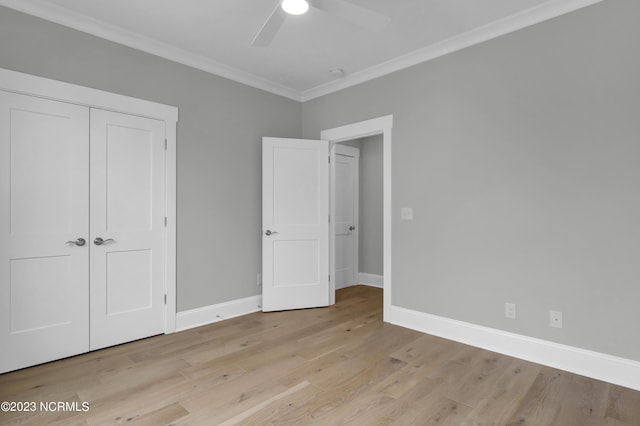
x=354, y=153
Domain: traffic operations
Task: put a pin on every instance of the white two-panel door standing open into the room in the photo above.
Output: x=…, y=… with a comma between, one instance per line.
x=295, y=218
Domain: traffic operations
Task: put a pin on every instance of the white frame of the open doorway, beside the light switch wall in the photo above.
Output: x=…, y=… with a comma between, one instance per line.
x=375, y=126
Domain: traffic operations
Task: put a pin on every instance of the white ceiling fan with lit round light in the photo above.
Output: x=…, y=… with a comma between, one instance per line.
x=341, y=9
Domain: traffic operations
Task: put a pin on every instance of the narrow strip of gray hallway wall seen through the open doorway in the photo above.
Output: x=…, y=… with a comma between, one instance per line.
x=370, y=208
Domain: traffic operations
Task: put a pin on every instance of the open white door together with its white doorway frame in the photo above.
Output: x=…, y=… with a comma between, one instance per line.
x=298, y=242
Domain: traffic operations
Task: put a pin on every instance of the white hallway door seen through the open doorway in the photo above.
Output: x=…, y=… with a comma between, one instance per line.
x=345, y=227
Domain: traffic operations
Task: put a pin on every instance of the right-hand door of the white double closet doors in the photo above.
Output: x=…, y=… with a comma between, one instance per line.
x=127, y=213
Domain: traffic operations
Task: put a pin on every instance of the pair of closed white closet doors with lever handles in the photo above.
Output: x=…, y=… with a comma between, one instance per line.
x=81, y=229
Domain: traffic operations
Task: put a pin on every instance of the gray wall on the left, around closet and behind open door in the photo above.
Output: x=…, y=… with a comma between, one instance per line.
x=219, y=145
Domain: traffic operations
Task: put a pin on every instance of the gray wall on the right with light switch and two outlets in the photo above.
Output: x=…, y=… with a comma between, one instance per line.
x=521, y=159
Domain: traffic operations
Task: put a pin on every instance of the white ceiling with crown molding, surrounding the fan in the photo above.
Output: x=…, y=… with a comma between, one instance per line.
x=215, y=35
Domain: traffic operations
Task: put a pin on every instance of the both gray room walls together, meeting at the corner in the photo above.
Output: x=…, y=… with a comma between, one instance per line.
x=519, y=157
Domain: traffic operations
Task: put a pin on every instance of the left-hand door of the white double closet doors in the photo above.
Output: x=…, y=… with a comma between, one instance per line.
x=44, y=169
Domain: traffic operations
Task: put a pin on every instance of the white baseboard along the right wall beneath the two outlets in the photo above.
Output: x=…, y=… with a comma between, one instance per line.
x=612, y=369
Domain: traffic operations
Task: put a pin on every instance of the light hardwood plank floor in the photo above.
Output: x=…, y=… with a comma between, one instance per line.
x=337, y=365
